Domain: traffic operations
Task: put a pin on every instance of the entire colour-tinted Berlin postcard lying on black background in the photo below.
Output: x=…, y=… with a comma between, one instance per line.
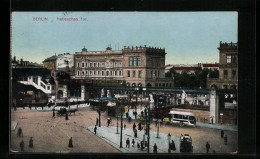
x=124, y=82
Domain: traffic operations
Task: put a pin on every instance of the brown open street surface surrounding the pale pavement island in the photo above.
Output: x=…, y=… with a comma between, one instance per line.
x=53, y=134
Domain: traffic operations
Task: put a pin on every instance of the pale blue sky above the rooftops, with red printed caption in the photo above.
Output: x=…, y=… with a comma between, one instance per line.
x=188, y=37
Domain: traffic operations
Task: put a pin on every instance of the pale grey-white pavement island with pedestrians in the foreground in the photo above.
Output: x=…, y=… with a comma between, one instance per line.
x=109, y=134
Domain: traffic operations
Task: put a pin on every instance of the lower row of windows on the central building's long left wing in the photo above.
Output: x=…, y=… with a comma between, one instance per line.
x=99, y=73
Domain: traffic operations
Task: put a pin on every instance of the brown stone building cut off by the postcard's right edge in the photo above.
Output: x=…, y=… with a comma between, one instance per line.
x=228, y=67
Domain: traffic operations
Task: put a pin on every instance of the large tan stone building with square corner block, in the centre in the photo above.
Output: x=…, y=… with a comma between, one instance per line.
x=135, y=66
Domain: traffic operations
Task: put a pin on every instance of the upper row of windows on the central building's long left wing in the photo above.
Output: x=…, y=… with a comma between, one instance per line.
x=99, y=64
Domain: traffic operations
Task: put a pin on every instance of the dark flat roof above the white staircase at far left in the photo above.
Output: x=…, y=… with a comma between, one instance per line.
x=30, y=72
